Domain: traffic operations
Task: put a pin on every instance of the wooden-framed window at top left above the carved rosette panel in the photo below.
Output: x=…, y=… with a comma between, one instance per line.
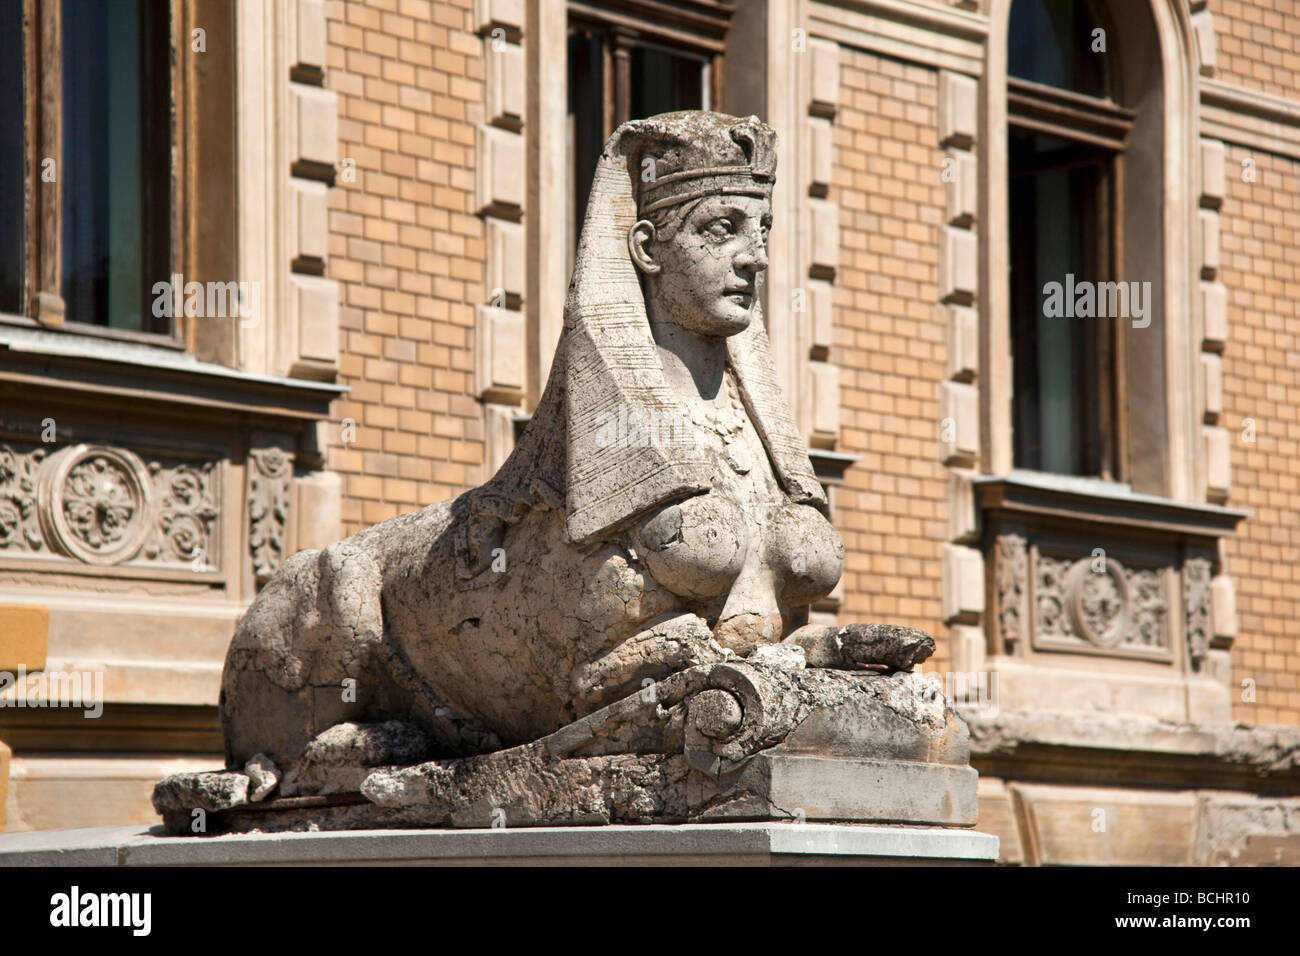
x=88, y=211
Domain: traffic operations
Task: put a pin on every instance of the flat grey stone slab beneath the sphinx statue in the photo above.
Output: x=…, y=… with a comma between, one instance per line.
x=690, y=845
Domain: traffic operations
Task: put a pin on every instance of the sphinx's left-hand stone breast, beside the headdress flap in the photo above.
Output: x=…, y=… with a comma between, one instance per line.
x=697, y=547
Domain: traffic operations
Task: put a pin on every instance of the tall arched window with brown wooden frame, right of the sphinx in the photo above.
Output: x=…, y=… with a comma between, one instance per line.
x=1067, y=145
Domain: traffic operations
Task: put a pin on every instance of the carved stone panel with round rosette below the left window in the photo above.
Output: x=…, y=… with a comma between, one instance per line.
x=106, y=507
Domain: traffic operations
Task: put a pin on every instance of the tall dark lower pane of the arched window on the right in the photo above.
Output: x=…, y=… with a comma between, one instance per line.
x=1059, y=200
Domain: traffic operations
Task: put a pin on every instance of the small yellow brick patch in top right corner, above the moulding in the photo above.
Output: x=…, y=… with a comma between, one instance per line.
x=1259, y=45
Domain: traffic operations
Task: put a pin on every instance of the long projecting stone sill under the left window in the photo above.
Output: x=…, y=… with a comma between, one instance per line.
x=153, y=374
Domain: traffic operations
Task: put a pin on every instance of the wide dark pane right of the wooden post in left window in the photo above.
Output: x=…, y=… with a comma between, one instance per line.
x=116, y=176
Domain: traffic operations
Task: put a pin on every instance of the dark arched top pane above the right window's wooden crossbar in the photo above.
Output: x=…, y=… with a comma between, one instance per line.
x=1051, y=42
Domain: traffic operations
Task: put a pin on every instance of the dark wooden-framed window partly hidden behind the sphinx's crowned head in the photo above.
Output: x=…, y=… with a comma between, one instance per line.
x=630, y=59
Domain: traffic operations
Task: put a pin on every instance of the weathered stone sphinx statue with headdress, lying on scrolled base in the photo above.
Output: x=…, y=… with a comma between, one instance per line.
x=616, y=626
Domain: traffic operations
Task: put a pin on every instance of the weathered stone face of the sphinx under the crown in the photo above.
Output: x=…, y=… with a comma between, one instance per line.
x=709, y=267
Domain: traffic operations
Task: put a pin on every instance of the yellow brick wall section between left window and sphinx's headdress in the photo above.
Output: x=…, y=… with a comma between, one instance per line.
x=409, y=253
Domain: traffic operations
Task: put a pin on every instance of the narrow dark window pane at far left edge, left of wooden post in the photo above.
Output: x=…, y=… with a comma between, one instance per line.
x=12, y=185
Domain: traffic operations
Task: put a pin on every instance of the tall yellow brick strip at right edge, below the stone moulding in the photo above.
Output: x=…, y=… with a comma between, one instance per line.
x=1260, y=228
